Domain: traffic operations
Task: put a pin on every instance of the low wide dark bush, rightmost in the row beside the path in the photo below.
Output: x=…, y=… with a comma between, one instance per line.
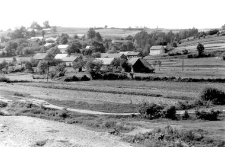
x=212, y=115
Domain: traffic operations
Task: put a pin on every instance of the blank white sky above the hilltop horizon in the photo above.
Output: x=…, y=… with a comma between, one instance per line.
x=114, y=13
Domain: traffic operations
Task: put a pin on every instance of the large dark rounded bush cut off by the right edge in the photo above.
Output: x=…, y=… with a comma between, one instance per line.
x=212, y=94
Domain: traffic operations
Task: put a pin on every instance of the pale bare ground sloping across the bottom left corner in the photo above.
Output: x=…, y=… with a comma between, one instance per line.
x=22, y=131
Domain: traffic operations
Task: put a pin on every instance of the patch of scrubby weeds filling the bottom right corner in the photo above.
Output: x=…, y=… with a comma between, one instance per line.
x=170, y=136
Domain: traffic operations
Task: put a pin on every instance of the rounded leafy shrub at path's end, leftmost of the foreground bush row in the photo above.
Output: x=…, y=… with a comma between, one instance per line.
x=151, y=111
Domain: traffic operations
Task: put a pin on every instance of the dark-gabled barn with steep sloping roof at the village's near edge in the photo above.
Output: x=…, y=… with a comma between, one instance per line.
x=140, y=65
